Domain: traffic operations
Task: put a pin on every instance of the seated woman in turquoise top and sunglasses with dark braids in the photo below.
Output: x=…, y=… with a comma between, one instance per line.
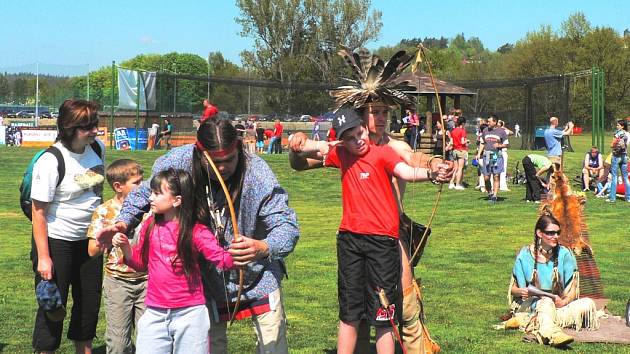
x=552, y=268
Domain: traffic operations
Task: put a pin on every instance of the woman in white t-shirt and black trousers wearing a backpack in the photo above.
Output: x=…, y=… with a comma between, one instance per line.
x=61, y=216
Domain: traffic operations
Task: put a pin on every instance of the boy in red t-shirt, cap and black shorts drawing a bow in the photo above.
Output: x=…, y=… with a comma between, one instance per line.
x=367, y=242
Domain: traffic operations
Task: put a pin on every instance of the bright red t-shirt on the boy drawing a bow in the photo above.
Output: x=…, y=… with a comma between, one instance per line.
x=369, y=206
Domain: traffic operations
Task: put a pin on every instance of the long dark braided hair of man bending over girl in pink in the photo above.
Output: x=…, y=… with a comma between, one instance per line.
x=216, y=134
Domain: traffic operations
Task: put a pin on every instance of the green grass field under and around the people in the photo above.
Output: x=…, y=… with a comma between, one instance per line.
x=465, y=269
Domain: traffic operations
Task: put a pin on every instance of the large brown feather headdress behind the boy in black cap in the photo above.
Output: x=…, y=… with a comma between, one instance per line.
x=374, y=80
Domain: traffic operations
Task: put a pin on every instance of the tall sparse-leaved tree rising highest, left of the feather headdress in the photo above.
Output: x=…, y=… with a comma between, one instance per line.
x=297, y=40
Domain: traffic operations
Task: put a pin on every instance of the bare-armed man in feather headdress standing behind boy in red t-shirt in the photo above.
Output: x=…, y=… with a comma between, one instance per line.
x=373, y=91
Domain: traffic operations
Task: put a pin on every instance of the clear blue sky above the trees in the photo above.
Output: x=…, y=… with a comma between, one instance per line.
x=70, y=36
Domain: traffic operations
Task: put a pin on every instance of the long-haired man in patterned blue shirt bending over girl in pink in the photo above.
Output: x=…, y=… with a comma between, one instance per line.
x=268, y=230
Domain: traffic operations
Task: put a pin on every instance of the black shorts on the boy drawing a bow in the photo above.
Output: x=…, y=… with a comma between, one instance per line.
x=367, y=263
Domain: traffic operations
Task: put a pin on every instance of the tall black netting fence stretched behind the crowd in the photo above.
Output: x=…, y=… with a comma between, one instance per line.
x=526, y=103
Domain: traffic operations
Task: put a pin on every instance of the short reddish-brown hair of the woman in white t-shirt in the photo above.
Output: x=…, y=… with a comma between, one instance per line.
x=72, y=115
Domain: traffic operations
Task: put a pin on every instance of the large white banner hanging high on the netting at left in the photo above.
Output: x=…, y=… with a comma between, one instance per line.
x=128, y=89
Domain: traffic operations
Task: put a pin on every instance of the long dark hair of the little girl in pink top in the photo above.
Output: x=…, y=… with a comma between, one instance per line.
x=180, y=183
